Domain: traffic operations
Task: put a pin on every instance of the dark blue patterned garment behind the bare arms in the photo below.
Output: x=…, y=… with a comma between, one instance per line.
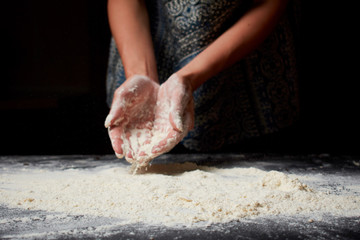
x=256, y=96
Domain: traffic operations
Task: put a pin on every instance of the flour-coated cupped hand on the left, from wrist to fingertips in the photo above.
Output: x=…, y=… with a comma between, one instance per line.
x=131, y=116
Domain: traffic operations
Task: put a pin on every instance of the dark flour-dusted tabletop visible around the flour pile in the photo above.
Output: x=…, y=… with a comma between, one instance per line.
x=42, y=226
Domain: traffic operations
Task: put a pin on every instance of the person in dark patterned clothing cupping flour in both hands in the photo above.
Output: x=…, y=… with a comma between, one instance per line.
x=209, y=73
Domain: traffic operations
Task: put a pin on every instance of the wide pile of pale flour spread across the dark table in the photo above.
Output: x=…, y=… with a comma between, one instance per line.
x=173, y=194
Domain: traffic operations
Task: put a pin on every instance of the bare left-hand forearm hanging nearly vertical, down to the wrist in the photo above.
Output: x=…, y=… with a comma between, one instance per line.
x=129, y=24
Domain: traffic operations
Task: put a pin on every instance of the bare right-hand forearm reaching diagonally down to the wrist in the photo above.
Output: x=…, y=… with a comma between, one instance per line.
x=234, y=44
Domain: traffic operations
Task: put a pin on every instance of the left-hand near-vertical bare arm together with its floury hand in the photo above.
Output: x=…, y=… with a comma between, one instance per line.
x=129, y=24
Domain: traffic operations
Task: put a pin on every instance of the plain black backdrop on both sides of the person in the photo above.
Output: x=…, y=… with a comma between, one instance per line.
x=52, y=88
